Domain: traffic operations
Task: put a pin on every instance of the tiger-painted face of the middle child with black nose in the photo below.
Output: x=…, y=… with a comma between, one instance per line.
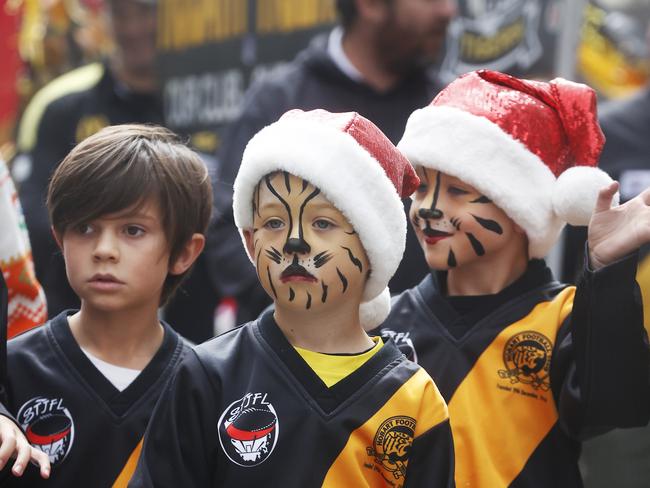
x=306, y=253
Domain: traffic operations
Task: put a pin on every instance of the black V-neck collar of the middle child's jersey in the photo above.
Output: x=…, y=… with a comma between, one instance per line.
x=328, y=399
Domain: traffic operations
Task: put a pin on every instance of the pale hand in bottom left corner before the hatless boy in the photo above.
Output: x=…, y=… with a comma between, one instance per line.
x=14, y=444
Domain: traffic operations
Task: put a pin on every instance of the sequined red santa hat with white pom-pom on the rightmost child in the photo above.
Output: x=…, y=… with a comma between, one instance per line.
x=531, y=147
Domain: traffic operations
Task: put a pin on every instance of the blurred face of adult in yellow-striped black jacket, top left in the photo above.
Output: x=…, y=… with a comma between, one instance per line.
x=133, y=24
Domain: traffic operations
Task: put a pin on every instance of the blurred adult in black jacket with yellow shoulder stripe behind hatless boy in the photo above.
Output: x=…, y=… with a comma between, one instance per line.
x=122, y=89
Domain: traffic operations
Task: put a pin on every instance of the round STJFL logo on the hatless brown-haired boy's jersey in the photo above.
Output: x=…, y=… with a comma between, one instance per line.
x=48, y=426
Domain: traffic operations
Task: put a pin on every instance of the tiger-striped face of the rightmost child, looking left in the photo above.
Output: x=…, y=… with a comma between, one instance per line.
x=456, y=224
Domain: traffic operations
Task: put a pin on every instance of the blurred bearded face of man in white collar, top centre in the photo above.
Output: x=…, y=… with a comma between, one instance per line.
x=413, y=32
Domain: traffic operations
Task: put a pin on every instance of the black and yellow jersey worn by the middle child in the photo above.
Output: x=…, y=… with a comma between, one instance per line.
x=245, y=409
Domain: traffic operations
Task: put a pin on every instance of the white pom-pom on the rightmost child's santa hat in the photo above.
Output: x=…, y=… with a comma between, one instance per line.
x=575, y=193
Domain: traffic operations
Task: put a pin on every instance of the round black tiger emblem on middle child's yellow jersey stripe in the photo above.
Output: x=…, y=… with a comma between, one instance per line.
x=392, y=445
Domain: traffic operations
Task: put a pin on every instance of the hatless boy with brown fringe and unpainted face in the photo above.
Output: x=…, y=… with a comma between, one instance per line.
x=128, y=206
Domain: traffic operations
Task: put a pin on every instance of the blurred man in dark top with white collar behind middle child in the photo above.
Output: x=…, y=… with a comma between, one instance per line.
x=377, y=62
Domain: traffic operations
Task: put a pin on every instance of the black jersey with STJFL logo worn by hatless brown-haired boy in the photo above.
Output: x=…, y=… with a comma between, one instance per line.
x=67, y=408
